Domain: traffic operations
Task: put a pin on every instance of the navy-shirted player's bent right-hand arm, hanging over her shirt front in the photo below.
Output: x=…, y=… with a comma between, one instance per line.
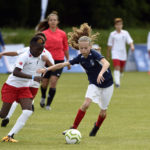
x=105, y=66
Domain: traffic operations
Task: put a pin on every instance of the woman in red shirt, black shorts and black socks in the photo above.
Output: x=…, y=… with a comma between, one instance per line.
x=57, y=45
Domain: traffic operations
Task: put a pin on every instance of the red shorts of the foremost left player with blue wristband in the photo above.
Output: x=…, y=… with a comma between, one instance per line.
x=10, y=93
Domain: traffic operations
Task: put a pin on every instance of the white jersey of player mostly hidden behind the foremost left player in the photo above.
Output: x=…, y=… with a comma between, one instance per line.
x=40, y=65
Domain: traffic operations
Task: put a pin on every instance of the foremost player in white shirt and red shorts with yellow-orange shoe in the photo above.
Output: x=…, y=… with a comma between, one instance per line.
x=17, y=86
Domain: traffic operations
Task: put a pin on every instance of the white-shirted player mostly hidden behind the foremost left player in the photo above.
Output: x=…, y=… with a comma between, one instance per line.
x=46, y=59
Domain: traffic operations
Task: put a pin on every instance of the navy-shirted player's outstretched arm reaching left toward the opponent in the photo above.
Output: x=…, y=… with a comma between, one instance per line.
x=54, y=67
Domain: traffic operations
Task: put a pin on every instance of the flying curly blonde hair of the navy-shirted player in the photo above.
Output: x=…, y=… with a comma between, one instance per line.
x=84, y=33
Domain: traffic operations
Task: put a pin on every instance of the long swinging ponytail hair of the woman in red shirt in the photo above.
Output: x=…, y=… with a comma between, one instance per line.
x=43, y=25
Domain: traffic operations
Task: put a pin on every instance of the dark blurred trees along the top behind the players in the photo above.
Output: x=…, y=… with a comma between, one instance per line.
x=98, y=13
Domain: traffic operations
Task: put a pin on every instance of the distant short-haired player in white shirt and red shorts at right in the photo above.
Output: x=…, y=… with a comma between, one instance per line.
x=117, y=45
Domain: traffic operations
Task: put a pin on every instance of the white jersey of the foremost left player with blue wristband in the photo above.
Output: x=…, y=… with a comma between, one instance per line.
x=28, y=65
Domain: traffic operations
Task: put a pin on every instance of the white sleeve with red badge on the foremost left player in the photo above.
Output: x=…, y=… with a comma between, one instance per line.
x=21, y=61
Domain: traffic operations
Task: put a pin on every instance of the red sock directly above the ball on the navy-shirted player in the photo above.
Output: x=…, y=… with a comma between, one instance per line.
x=78, y=118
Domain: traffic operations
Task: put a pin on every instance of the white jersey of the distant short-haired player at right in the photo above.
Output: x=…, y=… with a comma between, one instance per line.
x=118, y=43
